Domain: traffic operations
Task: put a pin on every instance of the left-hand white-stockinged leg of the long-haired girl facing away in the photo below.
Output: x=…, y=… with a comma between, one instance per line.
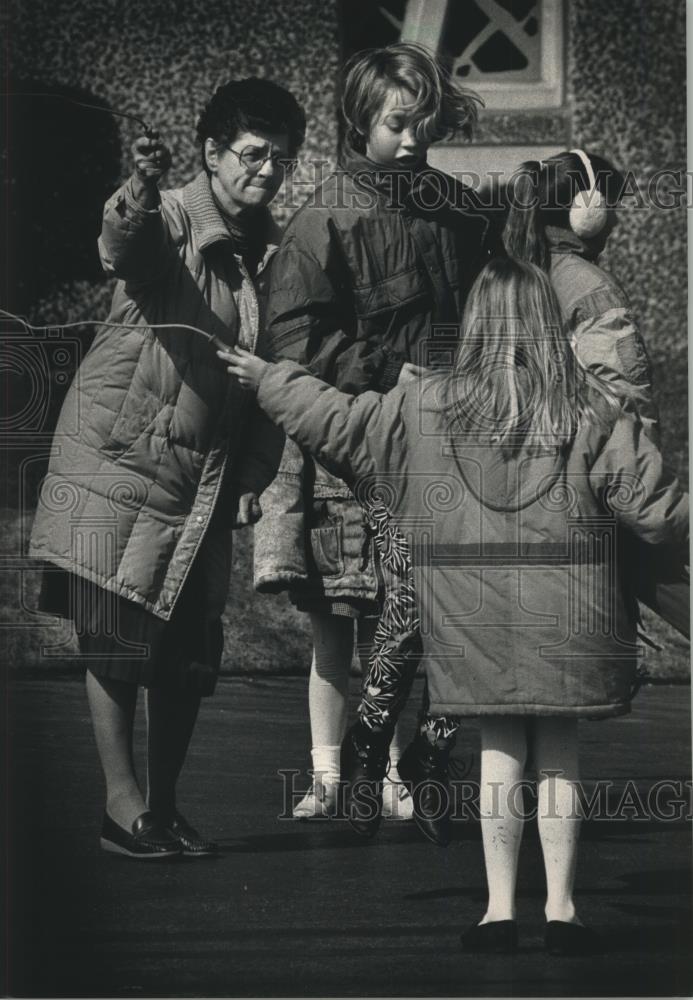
x=503, y=752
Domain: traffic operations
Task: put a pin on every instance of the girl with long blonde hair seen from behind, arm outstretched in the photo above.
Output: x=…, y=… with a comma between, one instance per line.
x=520, y=466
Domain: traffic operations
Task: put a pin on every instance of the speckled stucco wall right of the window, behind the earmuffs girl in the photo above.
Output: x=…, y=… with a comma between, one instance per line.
x=626, y=76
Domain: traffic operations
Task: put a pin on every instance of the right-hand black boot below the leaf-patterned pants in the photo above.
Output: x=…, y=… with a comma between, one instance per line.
x=423, y=767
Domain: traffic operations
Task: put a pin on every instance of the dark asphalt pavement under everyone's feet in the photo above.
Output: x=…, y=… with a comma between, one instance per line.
x=305, y=909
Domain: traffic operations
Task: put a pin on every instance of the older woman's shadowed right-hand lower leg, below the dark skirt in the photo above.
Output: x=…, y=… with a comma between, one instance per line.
x=171, y=717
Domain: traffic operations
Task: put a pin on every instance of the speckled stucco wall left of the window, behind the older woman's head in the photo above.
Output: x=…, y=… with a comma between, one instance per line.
x=160, y=59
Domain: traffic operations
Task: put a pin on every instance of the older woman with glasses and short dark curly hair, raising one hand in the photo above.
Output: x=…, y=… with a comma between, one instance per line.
x=157, y=453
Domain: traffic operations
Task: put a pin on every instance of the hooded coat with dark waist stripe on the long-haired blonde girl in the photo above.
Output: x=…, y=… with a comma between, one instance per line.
x=516, y=569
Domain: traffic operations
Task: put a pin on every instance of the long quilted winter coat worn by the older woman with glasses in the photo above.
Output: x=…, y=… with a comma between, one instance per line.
x=153, y=428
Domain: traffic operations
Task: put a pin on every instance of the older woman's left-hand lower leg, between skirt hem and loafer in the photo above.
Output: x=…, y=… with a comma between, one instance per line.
x=112, y=705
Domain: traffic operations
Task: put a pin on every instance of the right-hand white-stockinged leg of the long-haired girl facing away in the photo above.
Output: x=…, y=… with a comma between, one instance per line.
x=556, y=750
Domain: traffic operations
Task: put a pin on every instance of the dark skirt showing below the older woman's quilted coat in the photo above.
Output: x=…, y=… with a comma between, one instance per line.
x=120, y=640
